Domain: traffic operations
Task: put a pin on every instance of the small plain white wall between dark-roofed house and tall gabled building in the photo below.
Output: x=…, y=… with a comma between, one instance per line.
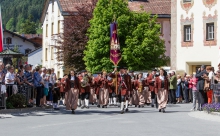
x=34, y=58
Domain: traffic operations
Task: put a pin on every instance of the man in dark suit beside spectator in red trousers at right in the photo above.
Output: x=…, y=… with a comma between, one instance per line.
x=200, y=85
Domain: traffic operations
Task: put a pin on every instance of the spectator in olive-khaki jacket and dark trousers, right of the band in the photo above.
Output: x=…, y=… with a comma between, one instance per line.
x=173, y=86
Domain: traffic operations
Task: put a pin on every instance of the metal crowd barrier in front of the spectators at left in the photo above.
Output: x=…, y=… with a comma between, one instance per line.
x=10, y=89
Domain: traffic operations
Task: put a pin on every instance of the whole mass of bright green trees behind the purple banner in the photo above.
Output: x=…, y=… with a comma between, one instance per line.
x=138, y=33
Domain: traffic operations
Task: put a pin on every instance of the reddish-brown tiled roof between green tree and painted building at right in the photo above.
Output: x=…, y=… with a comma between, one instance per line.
x=152, y=6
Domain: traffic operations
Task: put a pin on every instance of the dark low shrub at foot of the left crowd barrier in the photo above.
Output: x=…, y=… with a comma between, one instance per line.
x=16, y=101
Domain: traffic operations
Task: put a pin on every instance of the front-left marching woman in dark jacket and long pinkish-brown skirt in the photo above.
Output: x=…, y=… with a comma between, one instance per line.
x=72, y=95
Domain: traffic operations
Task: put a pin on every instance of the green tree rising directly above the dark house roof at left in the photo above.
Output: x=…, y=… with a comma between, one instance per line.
x=29, y=26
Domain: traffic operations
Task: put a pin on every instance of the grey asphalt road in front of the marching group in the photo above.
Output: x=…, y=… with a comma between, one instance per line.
x=177, y=121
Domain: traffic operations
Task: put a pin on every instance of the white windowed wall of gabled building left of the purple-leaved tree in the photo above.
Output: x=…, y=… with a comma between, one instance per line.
x=48, y=56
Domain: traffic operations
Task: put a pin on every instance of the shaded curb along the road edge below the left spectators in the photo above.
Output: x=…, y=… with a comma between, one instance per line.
x=11, y=111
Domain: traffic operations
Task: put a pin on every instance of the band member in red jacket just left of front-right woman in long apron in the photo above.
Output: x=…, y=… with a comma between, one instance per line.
x=151, y=80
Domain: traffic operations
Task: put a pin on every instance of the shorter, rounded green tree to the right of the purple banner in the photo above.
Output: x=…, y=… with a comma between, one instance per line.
x=144, y=47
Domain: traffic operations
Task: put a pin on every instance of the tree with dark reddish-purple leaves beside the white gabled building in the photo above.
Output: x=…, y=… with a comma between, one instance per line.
x=72, y=42
